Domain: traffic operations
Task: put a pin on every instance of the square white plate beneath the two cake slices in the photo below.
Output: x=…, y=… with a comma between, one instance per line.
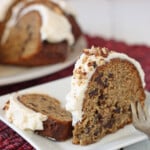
x=58, y=89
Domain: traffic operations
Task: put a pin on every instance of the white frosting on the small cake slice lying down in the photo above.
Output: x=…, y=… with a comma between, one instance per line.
x=23, y=117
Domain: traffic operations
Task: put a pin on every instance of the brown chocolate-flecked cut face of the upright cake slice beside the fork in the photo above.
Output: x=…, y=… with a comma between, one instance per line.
x=106, y=106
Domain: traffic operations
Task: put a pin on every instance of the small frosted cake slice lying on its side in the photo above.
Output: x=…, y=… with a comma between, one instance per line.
x=40, y=113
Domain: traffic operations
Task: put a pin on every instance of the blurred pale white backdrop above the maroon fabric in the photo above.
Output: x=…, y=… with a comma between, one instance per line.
x=123, y=20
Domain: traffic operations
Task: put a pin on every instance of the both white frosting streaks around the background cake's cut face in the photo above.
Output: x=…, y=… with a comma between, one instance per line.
x=55, y=27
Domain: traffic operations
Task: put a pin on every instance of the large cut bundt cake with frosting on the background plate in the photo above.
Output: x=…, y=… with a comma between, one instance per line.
x=37, y=32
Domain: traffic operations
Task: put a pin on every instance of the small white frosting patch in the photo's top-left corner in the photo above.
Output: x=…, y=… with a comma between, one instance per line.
x=4, y=6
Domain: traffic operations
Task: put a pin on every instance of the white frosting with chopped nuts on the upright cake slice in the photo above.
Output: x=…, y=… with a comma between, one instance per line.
x=82, y=74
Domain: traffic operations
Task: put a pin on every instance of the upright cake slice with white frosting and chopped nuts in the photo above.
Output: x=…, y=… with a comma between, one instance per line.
x=103, y=85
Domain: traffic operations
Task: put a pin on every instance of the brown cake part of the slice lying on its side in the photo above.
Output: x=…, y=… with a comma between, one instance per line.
x=58, y=125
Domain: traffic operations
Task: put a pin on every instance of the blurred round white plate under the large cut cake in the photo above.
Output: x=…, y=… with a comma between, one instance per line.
x=11, y=74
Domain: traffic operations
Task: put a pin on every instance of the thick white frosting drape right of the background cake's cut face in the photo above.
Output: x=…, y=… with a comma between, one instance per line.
x=55, y=27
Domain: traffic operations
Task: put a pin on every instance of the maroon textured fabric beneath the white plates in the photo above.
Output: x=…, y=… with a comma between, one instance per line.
x=10, y=140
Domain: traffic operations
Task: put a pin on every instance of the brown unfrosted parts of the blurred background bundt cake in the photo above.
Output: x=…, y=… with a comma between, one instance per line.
x=24, y=46
